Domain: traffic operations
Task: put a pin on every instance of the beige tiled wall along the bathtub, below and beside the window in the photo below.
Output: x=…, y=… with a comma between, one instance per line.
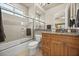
x=14, y=26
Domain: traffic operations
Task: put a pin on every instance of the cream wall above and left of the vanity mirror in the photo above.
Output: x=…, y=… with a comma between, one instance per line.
x=54, y=12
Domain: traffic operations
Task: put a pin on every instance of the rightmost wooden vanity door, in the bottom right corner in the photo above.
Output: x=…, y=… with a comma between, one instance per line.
x=72, y=50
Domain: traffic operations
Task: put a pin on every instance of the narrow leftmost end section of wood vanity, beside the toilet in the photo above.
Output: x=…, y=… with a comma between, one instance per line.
x=45, y=45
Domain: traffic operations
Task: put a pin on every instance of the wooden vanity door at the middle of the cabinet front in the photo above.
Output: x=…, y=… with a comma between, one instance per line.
x=57, y=48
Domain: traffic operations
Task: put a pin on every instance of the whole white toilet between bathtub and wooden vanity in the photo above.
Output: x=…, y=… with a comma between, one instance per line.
x=32, y=46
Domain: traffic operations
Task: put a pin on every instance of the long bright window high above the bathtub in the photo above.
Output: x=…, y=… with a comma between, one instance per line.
x=8, y=8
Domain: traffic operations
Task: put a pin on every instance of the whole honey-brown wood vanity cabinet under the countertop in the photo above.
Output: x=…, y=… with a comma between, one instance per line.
x=59, y=45
